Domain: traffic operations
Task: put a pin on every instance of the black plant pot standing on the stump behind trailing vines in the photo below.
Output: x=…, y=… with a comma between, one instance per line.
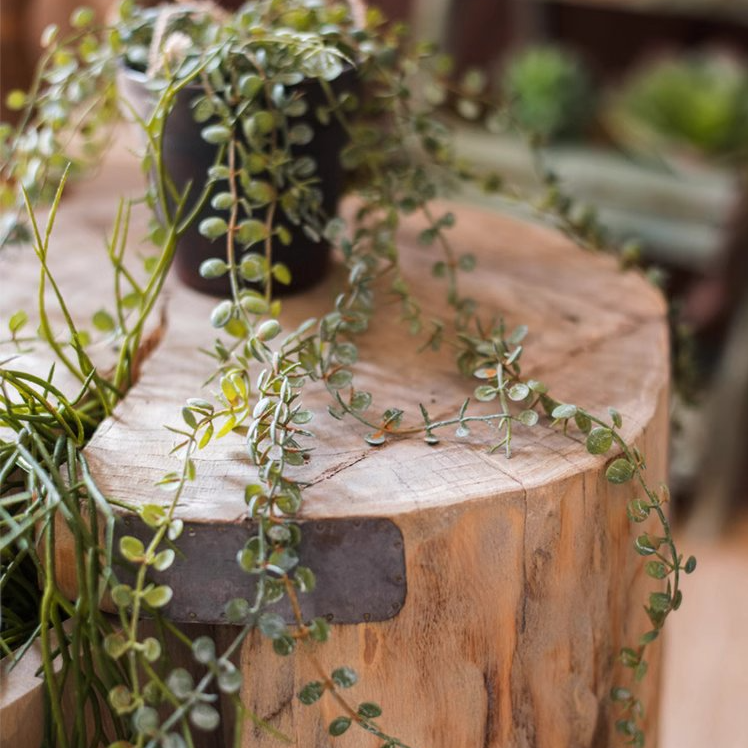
x=187, y=158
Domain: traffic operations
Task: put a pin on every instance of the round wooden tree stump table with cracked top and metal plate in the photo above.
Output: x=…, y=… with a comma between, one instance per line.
x=482, y=600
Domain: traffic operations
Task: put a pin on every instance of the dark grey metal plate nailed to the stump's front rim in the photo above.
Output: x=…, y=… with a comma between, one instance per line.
x=359, y=564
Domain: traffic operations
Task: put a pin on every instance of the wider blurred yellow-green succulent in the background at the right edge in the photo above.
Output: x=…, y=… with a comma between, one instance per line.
x=699, y=103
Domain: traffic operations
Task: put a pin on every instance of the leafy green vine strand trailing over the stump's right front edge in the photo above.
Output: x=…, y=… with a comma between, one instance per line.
x=503, y=381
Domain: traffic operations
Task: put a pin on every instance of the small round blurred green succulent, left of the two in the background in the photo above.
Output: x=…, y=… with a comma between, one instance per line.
x=549, y=91
